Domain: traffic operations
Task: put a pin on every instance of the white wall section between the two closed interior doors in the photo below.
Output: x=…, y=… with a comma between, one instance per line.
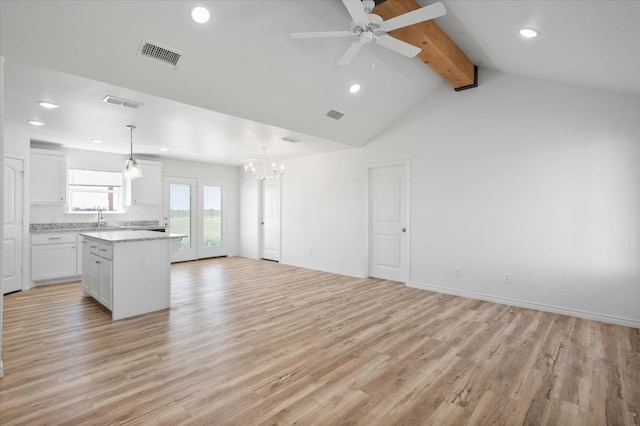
x=322, y=208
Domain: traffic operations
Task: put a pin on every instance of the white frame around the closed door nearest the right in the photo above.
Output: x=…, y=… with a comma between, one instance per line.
x=406, y=255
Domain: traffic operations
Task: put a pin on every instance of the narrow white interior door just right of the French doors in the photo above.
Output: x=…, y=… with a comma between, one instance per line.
x=271, y=220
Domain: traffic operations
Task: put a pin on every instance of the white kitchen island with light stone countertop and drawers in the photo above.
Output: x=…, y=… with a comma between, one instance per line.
x=129, y=272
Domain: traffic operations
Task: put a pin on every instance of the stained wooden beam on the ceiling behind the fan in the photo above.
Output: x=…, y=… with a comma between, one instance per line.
x=439, y=52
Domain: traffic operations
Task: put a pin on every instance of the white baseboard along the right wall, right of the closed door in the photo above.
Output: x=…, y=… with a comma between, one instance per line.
x=628, y=322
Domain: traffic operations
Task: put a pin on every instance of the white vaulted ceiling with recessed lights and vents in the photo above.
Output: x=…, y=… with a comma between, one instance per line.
x=243, y=83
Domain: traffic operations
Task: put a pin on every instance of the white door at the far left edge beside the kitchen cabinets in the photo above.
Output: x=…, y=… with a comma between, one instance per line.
x=13, y=193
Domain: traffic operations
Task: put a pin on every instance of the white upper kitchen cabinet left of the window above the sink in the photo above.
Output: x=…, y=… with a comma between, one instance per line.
x=48, y=177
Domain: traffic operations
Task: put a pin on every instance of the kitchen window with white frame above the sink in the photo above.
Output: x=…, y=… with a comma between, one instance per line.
x=94, y=190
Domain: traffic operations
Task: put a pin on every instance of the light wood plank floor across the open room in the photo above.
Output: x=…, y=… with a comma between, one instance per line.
x=258, y=343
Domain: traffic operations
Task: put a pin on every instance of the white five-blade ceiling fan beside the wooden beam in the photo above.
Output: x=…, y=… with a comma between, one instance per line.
x=368, y=27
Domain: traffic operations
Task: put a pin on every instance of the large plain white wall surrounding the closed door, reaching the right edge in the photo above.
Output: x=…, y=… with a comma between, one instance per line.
x=537, y=179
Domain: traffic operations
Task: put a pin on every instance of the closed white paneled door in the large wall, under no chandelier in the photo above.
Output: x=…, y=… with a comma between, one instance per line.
x=388, y=241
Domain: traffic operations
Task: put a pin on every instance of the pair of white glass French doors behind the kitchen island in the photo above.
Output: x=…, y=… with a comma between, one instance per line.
x=196, y=208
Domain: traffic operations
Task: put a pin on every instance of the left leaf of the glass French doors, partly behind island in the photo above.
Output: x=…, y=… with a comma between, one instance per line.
x=180, y=214
